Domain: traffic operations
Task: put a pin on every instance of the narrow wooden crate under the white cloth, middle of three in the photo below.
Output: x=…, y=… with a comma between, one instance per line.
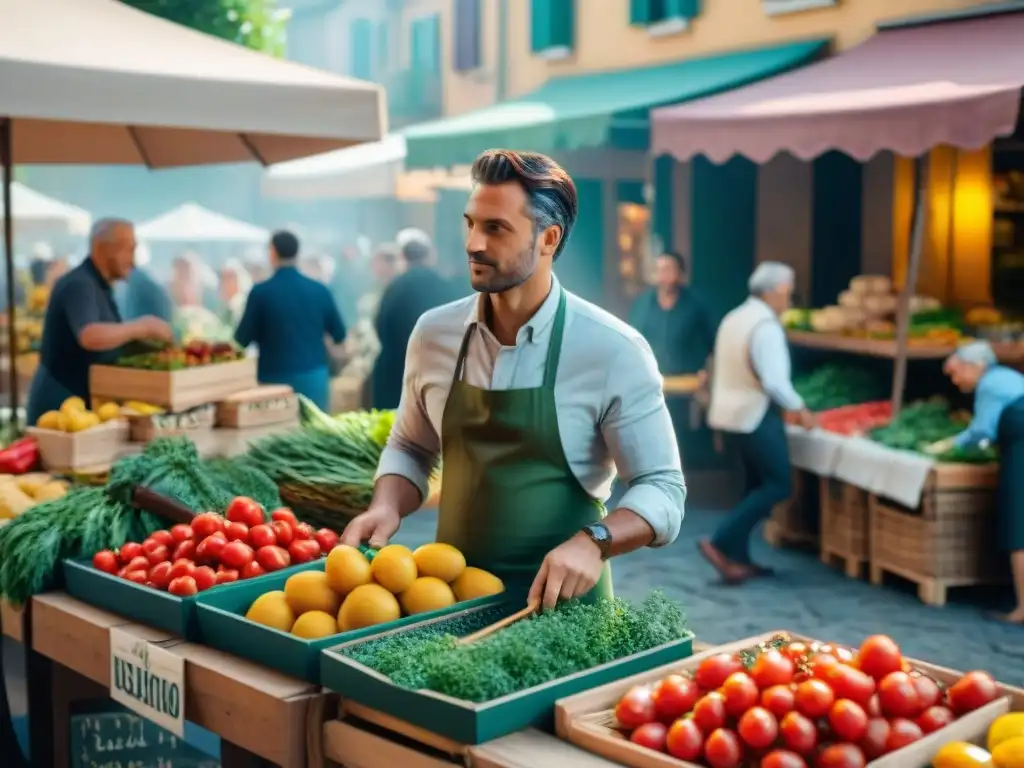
x=845, y=530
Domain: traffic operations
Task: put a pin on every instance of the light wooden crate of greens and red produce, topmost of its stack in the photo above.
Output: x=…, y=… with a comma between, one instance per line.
x=176, y=391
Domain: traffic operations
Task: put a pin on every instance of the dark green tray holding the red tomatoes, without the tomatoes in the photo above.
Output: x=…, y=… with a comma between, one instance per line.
x=147, y=606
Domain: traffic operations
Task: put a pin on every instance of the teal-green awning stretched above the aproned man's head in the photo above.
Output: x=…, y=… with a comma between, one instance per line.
x=573, y=113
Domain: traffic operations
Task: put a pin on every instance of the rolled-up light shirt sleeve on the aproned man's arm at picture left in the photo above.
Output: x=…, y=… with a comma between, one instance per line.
x=414, y=447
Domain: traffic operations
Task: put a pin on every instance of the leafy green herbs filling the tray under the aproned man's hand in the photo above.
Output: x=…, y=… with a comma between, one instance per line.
x=558, y=644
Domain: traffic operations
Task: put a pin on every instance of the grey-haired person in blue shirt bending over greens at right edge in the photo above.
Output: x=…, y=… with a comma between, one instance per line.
x=999, y=419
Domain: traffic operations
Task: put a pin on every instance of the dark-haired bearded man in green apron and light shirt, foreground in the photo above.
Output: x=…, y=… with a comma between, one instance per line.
x=531, y=398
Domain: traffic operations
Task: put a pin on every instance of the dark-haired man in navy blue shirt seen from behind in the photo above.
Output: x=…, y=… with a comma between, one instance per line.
x=288, y=317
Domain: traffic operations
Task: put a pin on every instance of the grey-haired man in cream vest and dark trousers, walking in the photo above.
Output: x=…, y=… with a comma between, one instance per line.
x=750, y=388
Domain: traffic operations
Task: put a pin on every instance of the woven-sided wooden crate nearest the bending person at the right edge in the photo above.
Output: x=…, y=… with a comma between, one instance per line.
x=948, y=541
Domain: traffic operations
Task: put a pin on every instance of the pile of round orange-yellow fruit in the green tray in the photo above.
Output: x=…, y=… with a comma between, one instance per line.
x=359, y=589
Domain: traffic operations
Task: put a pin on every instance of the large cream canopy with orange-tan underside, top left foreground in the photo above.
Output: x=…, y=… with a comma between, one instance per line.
x=100, y=82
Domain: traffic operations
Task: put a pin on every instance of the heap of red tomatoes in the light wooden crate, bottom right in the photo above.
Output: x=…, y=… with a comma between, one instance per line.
x=794, y=705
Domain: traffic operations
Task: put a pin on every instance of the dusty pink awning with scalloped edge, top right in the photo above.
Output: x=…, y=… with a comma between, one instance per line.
x=907, y=90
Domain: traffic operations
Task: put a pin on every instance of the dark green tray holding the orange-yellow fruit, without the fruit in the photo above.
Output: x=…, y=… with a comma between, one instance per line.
x=224, y=626
